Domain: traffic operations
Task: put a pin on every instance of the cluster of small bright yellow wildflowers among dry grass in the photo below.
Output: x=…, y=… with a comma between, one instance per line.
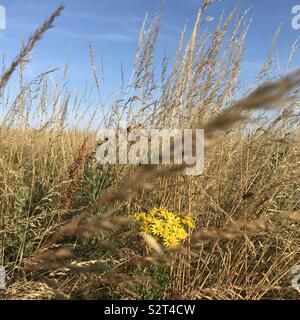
x=167, y=227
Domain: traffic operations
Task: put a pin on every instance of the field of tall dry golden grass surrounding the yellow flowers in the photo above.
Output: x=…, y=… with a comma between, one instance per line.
x=66, y=223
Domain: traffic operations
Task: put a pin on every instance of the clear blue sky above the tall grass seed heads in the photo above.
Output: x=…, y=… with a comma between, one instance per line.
x=113, y=26
